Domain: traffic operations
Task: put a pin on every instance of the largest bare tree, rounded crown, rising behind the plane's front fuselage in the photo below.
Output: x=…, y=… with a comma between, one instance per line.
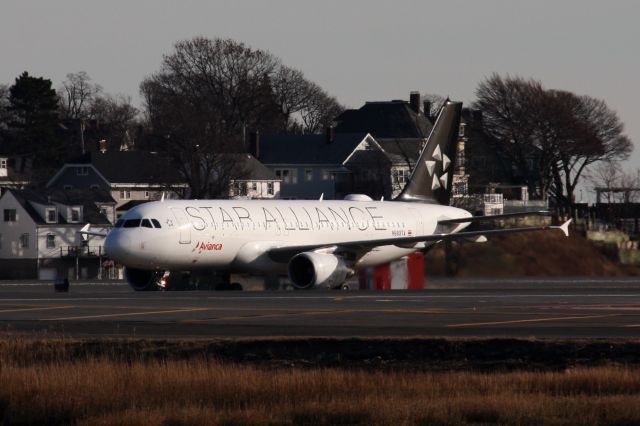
x=202, y=101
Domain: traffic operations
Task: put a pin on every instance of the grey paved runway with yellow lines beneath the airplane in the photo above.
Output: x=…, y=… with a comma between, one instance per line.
x=551, y=308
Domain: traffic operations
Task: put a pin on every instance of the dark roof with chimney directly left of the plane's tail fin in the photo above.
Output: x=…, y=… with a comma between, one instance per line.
x=393, y=119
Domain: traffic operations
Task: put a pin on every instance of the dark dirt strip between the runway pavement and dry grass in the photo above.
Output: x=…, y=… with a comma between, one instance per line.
x=425, y=354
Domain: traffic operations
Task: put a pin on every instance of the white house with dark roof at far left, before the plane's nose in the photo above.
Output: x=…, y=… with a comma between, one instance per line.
x=39, y=235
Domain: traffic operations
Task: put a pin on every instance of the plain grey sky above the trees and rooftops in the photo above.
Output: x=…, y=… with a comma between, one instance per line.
x=357, y=50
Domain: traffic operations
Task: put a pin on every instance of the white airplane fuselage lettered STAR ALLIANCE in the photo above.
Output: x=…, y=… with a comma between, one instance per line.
x=236, y=235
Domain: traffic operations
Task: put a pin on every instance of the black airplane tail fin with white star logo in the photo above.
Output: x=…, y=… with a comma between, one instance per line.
x=432, y=176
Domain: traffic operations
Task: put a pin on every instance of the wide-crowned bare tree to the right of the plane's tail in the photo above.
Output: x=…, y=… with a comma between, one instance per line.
x=550, y=136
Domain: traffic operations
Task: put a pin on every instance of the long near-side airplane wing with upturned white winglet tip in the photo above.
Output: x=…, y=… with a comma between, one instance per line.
x=285, y=253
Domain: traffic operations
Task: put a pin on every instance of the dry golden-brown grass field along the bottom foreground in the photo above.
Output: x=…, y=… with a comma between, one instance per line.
x=36, y=388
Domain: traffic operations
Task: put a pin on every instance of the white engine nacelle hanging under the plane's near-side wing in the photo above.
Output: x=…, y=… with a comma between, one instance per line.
x=307, y=270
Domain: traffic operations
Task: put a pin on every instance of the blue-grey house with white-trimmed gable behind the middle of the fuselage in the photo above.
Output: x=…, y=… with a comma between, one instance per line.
x=330, y=165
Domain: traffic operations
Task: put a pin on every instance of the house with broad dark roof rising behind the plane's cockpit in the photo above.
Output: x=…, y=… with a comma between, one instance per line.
x=126, y=175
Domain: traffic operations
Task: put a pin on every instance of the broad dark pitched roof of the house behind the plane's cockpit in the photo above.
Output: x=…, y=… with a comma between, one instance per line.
x=132, y=166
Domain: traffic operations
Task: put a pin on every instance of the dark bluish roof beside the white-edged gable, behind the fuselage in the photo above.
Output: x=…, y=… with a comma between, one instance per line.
x=308, y=149
